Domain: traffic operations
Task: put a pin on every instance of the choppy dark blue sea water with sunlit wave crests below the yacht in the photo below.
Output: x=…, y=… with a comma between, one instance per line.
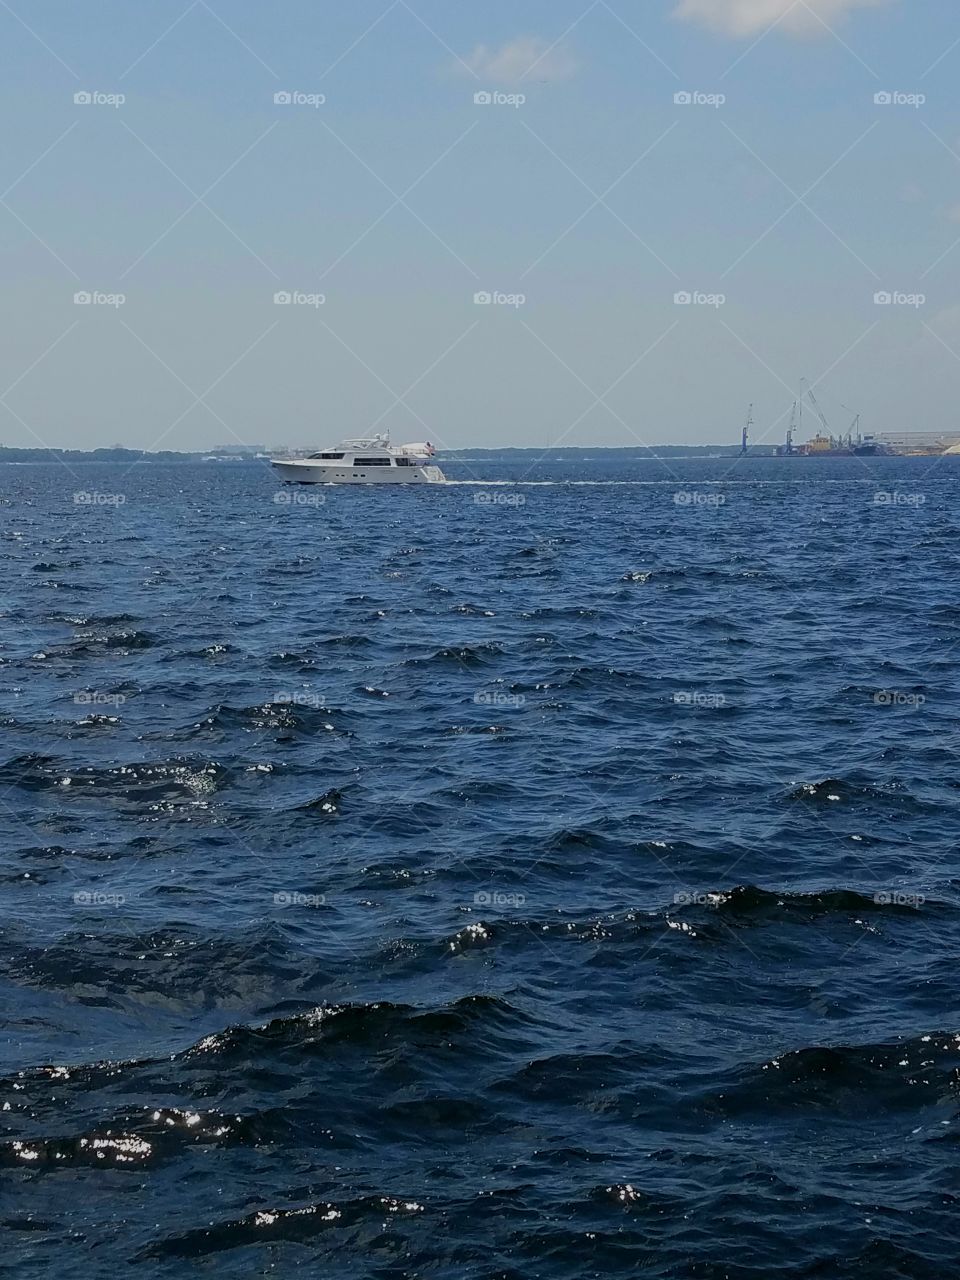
x=529, y=881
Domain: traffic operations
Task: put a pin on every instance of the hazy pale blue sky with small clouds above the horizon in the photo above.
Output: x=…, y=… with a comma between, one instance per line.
x=784, y=198
